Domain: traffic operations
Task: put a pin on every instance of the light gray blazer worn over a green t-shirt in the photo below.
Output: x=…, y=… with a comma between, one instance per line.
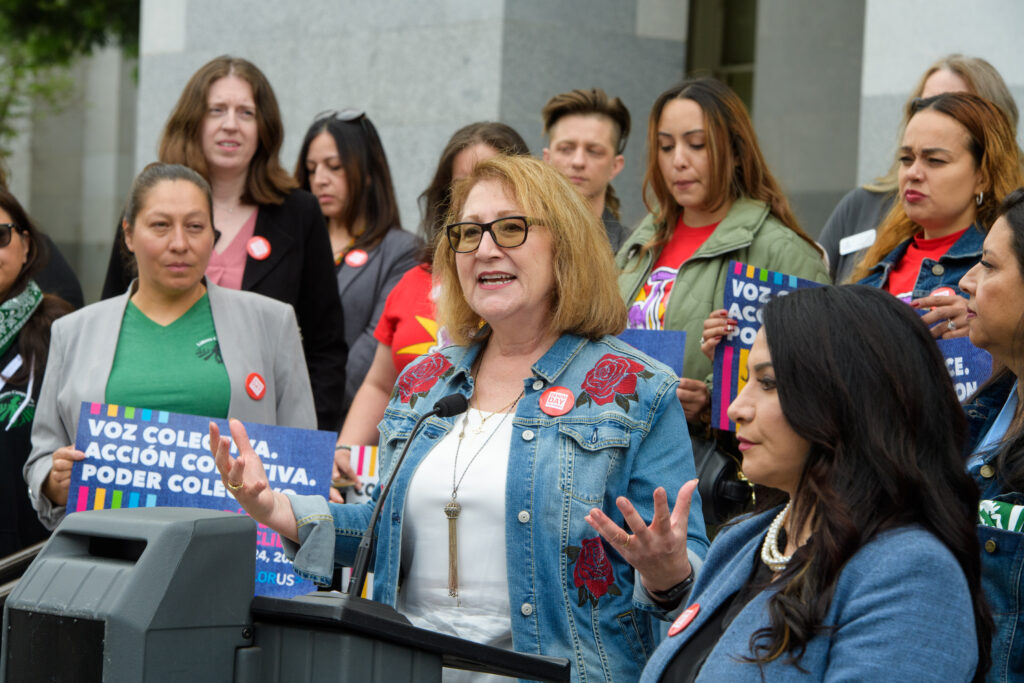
x=257, y=335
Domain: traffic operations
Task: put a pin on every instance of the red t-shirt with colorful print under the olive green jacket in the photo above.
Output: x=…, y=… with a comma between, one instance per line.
x=648, y=313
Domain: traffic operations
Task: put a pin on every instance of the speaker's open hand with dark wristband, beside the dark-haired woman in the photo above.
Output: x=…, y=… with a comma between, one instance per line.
x=658, y=550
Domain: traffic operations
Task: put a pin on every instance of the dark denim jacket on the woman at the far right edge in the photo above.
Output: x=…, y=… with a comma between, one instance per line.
x=1002, y=550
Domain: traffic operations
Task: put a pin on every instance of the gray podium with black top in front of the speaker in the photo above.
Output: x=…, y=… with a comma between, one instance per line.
x=166, y=594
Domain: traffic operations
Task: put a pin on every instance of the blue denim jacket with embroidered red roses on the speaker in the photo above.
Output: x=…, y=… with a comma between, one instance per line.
x=571, y=594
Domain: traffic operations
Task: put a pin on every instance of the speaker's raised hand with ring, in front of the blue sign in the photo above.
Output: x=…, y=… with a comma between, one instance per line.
x=245, y=478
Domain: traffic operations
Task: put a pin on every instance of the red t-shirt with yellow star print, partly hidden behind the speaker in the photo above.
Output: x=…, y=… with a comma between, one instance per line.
x=408, y=324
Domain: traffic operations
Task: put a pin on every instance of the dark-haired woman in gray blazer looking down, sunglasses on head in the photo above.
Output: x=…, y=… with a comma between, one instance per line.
x=343, y=163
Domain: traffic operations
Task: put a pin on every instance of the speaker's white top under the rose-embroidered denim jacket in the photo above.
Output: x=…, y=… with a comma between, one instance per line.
x=482, y=614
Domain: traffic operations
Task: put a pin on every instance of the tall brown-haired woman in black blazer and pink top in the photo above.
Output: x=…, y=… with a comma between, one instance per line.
x=271, y=237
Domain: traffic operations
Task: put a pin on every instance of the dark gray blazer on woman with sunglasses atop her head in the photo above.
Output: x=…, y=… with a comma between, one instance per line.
x=364, y=291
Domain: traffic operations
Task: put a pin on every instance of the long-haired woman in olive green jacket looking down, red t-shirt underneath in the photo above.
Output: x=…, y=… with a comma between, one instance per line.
x=712, y=200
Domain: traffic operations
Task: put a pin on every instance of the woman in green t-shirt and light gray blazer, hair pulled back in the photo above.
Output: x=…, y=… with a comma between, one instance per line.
x=176, y=341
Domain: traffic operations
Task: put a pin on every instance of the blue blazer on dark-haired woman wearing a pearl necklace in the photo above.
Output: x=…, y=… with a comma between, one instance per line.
x=902, y=612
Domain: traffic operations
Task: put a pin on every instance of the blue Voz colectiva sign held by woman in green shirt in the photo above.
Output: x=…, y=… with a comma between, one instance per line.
x=142, y=458
